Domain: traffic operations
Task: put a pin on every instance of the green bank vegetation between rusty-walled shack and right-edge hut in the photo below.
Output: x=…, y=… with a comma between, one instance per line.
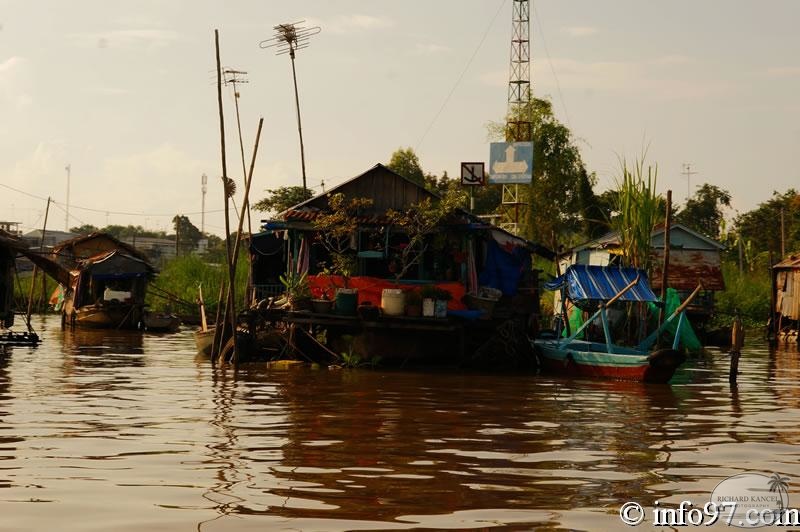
x=747, y=292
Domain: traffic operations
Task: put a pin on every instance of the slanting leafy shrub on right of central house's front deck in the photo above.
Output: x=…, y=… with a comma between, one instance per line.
x=420, y=221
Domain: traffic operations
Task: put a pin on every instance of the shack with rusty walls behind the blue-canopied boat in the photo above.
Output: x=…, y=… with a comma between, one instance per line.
x=693, y=258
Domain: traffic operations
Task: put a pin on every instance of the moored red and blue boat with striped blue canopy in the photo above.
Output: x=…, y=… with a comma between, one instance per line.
x=602, y=286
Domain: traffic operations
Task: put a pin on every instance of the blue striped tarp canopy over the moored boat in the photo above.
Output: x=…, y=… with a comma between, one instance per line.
x=601, y=283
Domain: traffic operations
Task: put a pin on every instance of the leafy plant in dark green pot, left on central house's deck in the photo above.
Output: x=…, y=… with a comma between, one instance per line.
x=336, y=229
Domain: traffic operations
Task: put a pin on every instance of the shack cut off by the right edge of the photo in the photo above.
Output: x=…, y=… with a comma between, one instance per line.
x=785, y=322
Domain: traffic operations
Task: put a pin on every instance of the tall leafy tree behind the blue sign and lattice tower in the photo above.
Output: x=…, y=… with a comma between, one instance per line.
x=554, y=206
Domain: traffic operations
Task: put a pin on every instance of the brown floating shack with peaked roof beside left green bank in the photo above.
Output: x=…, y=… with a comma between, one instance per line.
x=107, y=282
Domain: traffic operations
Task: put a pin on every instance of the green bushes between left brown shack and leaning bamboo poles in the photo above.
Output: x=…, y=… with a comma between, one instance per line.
x=182, y=276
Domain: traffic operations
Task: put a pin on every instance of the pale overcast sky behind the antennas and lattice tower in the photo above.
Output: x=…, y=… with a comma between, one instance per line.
x=124, y=92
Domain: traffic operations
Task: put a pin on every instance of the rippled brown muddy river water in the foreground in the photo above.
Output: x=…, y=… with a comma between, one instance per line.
x=117, y=431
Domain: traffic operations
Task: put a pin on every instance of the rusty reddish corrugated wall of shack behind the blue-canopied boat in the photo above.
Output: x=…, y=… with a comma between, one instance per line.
x=687, y=268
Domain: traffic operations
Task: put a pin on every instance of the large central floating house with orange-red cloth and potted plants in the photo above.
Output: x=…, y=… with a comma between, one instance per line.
x=483, y=273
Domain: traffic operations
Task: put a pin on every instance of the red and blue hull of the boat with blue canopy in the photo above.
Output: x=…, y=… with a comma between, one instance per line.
x=590, y=360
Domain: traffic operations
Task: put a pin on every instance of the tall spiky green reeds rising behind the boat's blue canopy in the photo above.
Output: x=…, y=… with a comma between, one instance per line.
x=640, y=209
